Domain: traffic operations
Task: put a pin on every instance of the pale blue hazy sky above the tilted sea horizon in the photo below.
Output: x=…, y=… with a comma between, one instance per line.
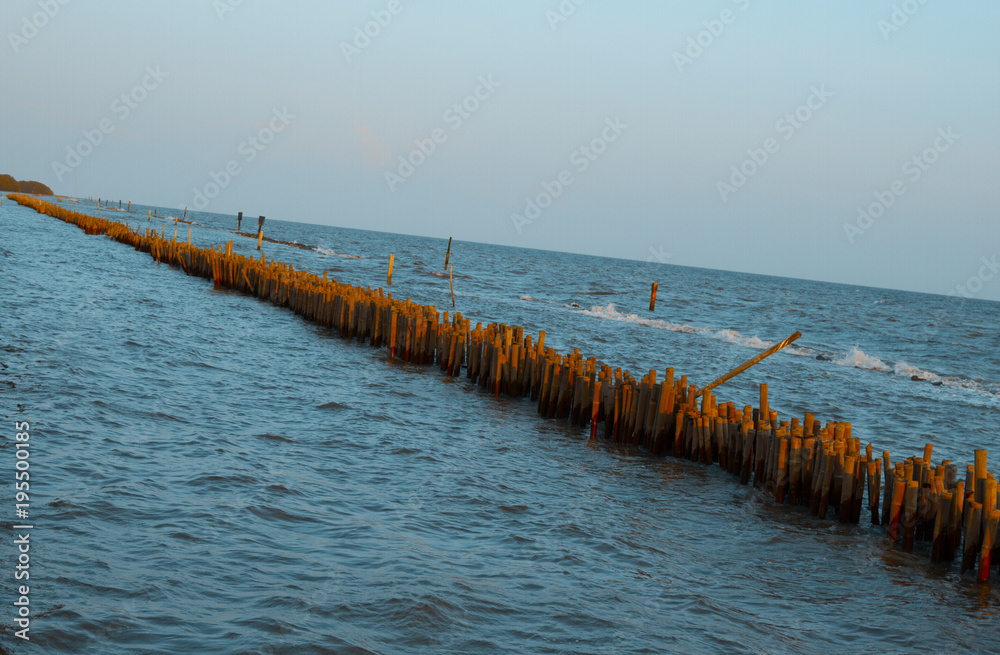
x=853, y=142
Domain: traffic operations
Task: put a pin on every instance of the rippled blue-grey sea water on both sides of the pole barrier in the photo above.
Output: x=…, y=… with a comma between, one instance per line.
x=212, y=474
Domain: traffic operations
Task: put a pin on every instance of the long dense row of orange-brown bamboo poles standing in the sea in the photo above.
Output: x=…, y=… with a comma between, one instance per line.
x=805, y=463
